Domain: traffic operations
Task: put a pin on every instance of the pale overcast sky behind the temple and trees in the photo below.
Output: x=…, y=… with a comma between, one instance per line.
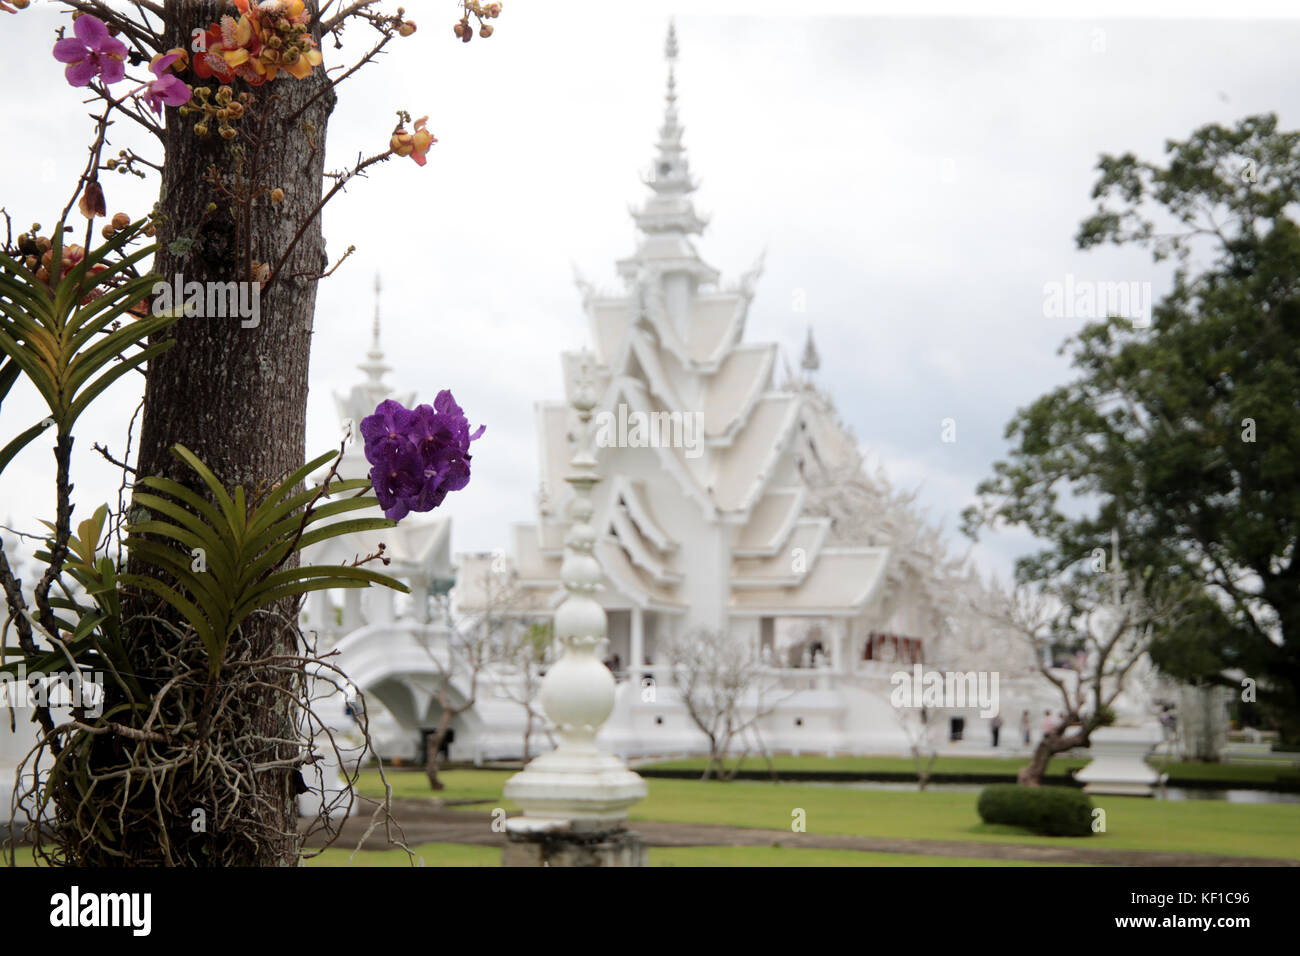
x=917, y=181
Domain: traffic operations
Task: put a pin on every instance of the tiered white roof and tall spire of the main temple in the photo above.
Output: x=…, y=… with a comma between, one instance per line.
x=673, y=344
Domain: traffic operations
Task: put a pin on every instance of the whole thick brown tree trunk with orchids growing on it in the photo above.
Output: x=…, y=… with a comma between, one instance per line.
x=235, y=396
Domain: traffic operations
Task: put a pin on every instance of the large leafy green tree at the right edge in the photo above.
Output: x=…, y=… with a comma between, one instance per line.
x=1185, y=436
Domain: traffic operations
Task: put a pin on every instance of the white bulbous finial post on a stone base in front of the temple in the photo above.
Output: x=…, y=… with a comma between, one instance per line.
x=577, y=798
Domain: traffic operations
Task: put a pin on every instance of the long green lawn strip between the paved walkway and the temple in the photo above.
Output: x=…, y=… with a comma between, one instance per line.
x=1194, y=827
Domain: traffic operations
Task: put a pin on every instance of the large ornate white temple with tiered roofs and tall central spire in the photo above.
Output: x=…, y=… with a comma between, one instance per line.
x=733, y=500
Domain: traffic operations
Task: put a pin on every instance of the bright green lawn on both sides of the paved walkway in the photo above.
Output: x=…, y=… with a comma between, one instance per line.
x=1195, y=827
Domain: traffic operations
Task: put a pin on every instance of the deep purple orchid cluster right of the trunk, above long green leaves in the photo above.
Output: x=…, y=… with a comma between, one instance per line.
x=418, y=456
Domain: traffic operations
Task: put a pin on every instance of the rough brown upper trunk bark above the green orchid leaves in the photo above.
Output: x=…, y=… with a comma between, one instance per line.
x=239, y=397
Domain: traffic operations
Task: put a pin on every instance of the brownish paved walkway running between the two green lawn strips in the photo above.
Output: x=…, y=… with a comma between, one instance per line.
x=427, y=823
